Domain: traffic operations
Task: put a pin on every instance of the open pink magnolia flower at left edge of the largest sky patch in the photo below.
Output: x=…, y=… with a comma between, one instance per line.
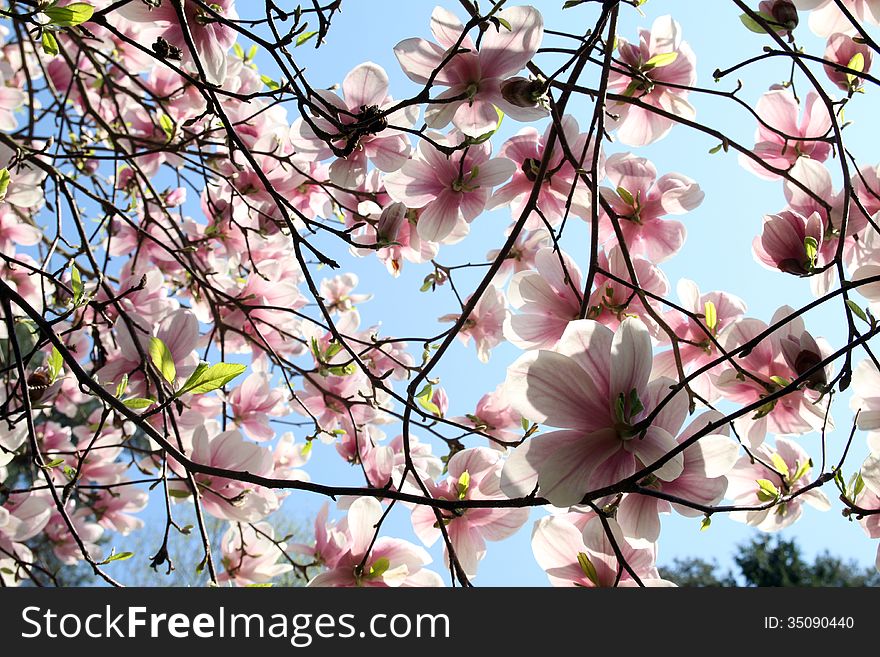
x=640, y=201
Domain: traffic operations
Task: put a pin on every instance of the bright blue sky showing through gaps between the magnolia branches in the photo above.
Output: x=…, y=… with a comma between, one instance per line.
x=717, y=253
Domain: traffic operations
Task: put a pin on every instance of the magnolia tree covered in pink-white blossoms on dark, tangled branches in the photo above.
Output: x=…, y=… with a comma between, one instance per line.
x=184, y=210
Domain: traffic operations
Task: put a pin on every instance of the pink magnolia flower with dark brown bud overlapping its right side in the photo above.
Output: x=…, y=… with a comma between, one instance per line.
x=773, y=363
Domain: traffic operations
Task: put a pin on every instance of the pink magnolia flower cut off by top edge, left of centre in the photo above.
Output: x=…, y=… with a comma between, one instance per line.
x=212, y=39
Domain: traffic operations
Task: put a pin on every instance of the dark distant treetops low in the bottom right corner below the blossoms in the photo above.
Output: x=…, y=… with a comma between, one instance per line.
x=768, y=561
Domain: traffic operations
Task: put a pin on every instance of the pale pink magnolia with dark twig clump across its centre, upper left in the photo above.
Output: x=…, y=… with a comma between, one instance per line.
x=365, y=129
